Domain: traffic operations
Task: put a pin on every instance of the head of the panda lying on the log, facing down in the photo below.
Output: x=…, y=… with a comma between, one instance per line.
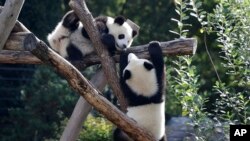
x=123, y=30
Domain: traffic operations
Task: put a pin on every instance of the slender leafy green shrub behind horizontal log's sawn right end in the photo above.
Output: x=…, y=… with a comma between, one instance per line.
x=185, y=80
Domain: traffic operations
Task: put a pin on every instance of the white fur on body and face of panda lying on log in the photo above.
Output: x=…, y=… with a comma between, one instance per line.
x=61, y=37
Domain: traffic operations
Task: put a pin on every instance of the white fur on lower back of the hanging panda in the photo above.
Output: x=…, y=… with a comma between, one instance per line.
x=151, y=117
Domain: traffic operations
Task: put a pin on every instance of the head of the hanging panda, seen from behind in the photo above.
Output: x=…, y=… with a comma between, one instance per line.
x=140, y=76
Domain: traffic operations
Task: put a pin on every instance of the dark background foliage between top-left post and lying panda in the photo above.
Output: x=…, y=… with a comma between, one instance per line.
x=42, y=16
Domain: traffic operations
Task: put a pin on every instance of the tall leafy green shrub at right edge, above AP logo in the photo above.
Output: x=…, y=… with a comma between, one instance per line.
x=230, y=21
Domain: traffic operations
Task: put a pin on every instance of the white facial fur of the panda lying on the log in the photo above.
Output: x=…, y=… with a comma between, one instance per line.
x=115, y=30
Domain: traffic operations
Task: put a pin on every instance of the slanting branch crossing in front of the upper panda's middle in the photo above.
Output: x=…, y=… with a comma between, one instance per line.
x=108, y=64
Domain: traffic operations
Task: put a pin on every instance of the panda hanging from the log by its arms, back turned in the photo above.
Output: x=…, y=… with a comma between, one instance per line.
x=143, y=82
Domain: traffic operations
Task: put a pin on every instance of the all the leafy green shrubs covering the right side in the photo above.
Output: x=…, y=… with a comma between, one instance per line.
x=230, y=21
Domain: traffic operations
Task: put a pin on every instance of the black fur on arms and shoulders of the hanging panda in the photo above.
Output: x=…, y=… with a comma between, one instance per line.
x=158, y=63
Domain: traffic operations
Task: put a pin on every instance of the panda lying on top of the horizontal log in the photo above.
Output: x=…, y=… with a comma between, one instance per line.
x=72, y=42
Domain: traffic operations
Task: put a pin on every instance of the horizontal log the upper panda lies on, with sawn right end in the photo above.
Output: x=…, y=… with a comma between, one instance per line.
x=15, y=42
